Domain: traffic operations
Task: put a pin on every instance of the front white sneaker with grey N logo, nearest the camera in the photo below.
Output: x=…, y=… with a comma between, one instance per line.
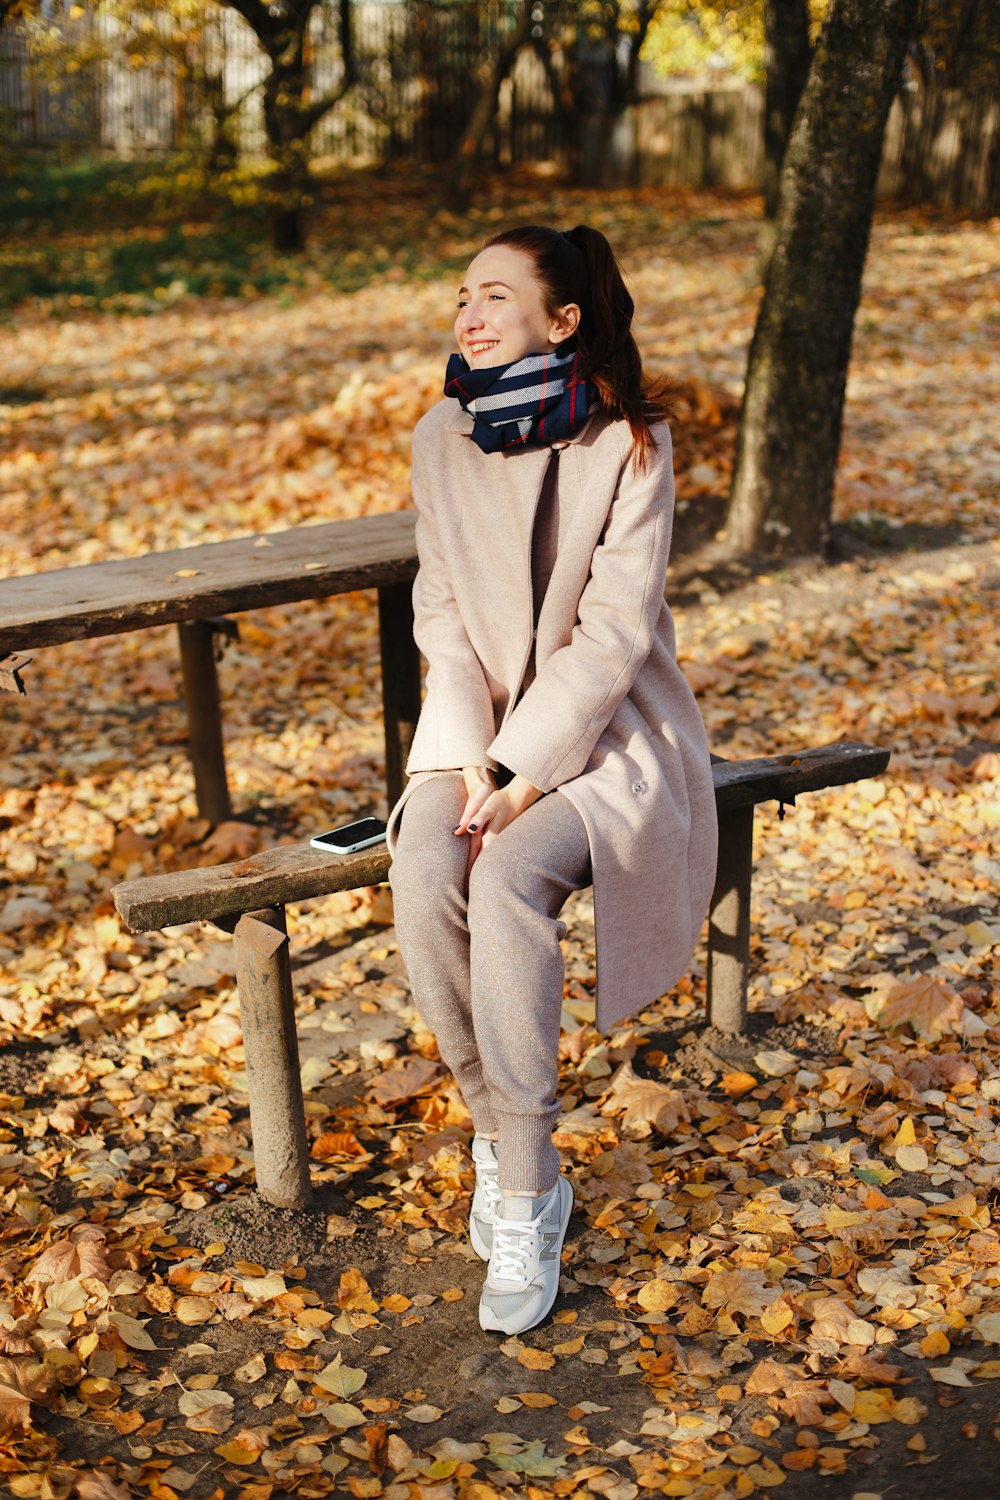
x=524, y=1274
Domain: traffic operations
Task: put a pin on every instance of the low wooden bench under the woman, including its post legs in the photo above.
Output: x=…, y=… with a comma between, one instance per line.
x=250, y=901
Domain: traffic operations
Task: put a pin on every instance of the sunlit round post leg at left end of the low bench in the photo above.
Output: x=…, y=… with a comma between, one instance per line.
x=278, y=1120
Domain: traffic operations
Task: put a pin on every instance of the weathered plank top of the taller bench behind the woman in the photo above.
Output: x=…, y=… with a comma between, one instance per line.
x=106, y=599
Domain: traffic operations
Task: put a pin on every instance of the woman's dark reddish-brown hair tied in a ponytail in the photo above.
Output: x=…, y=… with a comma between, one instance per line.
x=581, y=268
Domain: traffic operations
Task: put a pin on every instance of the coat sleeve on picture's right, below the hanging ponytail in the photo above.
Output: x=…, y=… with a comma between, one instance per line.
x=552, y=733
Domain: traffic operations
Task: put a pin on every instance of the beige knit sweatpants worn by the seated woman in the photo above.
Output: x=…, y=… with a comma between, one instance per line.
x=485, y=961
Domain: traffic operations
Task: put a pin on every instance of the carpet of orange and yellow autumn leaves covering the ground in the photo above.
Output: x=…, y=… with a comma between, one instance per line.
x=785, y=1267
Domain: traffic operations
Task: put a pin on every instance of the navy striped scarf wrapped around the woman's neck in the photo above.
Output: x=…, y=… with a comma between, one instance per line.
x=537, y=400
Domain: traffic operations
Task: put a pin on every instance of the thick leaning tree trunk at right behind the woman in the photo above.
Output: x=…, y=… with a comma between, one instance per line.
x=789, y=436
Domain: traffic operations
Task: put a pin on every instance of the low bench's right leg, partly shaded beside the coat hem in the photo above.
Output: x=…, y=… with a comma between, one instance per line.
x=729, y=923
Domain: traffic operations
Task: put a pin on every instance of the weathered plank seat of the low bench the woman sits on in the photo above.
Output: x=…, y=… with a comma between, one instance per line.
x=298, y=872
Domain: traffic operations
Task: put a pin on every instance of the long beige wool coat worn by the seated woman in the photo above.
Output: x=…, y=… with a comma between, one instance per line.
x=608, y=719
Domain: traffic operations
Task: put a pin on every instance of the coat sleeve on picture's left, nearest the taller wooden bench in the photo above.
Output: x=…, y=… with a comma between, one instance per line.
x=457, y=719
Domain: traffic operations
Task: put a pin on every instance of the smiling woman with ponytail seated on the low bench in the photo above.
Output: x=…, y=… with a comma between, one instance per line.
x=558, y=745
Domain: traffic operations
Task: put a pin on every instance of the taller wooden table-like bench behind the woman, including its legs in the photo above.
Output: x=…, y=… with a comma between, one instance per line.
x=197, y=589
